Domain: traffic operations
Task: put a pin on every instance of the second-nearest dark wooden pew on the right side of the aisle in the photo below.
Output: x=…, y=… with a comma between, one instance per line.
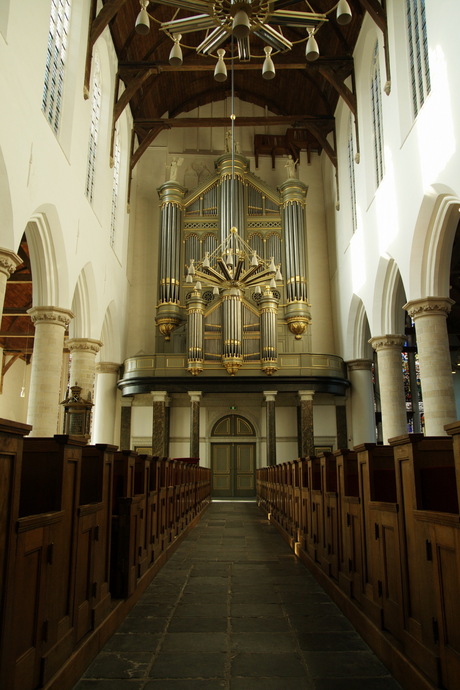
x=428, y=524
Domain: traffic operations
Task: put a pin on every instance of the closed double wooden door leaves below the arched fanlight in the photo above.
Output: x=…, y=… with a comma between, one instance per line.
x=233, y=469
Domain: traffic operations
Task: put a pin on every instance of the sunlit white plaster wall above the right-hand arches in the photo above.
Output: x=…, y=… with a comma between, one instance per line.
x=421, y=163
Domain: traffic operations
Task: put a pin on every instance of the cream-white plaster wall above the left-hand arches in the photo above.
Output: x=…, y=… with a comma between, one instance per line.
x=43, y=177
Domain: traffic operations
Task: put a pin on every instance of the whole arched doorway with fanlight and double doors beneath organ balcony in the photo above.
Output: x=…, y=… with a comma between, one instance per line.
x=233, y=458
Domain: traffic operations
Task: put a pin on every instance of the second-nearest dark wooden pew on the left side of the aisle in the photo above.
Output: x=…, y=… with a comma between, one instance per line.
x=45, y=564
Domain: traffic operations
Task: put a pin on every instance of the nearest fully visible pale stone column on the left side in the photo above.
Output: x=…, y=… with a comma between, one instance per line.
x=45, y=379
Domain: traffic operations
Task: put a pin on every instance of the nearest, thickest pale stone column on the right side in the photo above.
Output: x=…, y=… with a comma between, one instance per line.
x=429, y=315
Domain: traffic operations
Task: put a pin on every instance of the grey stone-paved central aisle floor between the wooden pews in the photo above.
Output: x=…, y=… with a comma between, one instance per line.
x=234, y=609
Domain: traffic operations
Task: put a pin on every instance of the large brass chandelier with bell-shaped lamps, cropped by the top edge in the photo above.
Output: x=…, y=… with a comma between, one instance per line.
x=239, y=19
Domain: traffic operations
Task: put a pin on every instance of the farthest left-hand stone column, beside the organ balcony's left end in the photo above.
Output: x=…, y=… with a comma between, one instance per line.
x=105, y=402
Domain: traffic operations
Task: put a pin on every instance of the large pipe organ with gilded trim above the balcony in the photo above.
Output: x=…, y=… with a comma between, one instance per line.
x=232, y=269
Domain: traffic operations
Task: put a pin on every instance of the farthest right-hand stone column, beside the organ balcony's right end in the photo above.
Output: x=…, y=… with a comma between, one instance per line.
x=362, y=401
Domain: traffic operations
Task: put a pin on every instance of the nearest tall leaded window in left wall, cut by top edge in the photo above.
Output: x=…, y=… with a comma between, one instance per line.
x=53, y=86
